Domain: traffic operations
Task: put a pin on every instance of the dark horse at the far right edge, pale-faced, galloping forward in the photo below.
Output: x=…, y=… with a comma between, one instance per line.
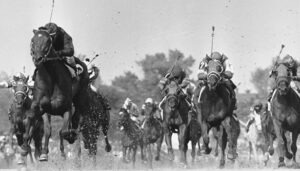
x=285, y=110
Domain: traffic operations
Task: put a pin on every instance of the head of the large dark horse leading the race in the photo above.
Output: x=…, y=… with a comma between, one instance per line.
x=41, y=46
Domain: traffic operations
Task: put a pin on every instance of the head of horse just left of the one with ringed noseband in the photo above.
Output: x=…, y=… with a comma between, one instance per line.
x=172, y=96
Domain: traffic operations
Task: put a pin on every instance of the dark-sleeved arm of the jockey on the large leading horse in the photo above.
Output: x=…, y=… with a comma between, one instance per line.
x=68, y=49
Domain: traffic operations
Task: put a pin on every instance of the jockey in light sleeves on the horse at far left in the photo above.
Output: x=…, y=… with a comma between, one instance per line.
x=18, y=77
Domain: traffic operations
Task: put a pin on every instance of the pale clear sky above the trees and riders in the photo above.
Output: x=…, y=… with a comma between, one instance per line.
x=249, y=32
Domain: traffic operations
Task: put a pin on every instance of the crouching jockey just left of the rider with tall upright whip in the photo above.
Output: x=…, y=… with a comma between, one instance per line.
x=177, y=74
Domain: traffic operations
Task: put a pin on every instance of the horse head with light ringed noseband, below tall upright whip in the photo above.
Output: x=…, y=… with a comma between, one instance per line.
x=215, y=69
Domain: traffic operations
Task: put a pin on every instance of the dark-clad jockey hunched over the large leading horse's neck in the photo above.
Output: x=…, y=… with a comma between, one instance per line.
x=63, y=46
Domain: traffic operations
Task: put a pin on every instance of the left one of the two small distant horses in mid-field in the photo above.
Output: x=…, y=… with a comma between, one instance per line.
x=132, y=135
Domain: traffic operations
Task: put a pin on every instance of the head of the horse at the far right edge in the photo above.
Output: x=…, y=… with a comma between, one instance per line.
x=282, y=78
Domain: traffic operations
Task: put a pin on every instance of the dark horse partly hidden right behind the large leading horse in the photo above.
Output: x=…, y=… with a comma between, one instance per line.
x=96, y=116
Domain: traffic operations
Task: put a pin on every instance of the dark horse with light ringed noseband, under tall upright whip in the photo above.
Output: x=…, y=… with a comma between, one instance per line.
x=214, y=106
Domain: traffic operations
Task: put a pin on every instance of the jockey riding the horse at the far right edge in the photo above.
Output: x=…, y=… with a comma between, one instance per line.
x=292, y=65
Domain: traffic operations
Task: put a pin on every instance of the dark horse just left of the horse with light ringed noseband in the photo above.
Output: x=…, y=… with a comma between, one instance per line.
x=176, y=117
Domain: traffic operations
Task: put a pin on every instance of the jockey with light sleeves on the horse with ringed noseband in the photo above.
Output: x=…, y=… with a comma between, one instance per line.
x=227, y=73
